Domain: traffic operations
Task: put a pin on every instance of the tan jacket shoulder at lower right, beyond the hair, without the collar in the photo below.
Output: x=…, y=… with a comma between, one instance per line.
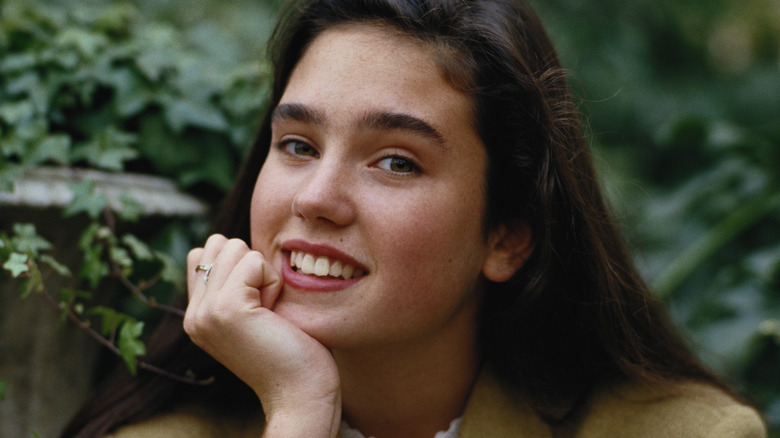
x=686, y=409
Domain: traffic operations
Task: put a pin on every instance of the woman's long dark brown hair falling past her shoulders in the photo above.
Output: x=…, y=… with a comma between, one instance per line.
x=576, y=315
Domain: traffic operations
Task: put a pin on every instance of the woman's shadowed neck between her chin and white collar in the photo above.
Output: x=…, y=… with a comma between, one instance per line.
x=412, y=389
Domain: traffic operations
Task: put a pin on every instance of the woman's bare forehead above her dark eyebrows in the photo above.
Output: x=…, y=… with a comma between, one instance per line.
x=370, y=67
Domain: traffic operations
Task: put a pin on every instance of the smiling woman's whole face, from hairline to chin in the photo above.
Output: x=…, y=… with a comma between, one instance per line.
x=375, y=168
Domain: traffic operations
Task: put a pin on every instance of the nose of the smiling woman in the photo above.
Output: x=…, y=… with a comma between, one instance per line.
x=325, y=195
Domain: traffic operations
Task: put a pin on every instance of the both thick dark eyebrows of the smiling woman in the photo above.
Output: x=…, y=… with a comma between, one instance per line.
x=378, y=119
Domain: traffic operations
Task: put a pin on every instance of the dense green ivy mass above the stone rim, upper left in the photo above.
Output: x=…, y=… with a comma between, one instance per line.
x=97, y=84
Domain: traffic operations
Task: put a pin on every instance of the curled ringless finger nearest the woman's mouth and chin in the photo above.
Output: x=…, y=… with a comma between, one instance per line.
x=256, y=278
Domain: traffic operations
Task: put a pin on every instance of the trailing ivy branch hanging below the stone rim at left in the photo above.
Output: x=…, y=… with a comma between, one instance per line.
x=106, y=256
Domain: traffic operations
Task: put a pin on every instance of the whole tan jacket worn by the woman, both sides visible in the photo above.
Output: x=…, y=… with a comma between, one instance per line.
x=629, y=411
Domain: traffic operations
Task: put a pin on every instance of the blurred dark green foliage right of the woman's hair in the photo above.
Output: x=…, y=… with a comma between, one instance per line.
x=681, y=100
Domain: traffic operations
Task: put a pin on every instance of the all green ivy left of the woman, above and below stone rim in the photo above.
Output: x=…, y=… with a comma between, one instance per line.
x=105, y=85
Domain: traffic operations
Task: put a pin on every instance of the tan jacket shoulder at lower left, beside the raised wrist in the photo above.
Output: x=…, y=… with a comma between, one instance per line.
x=193, y=422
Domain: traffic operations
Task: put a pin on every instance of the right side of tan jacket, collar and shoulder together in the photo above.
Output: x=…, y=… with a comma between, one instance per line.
x=630, y=410
